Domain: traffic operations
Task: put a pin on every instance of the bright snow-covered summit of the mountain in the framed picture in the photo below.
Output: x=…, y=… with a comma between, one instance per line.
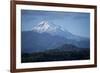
x=45, y=26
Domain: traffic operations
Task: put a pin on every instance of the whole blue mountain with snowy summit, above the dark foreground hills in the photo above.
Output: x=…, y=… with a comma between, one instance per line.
x=46, y=35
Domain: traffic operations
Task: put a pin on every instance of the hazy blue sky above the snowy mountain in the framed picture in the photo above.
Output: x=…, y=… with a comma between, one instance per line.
x=75, y=22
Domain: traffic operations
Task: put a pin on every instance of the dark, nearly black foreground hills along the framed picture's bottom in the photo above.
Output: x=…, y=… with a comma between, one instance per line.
x=63, y=53
